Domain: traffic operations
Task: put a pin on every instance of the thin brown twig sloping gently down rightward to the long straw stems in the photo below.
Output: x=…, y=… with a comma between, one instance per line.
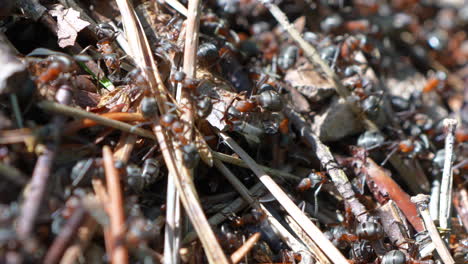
x=78, y=113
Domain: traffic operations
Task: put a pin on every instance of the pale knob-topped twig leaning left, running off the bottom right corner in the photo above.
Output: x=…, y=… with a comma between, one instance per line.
x=422, y=202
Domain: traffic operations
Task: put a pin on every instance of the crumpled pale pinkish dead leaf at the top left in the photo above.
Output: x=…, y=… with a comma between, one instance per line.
x=68, y=25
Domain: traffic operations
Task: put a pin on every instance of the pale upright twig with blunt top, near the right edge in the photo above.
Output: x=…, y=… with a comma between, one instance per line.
x=445, y=206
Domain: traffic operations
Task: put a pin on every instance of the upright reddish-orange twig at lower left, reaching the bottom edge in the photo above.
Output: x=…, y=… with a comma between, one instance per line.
x=116, y=213
